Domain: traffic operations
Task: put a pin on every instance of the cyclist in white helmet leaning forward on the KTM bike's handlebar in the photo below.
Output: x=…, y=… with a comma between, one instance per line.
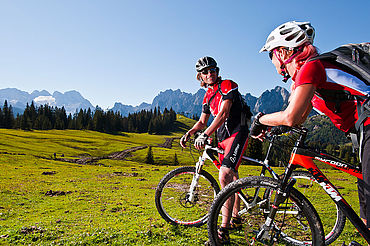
x=315, y=83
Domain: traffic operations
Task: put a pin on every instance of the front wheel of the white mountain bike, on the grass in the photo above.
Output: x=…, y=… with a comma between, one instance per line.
x=170, y=197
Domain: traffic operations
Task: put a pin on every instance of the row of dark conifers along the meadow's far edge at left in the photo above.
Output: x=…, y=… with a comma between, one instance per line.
x=46, y=117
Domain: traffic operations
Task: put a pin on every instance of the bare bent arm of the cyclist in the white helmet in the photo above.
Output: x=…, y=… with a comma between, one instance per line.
x=297, y=111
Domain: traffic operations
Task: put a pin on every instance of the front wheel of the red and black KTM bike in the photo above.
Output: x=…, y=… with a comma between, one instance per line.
x=308, y=227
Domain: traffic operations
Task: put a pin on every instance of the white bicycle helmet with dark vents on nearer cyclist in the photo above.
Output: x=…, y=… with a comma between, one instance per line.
x=291, y=34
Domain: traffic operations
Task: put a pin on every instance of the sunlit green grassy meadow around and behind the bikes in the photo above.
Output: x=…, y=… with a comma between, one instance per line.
x=46, y=201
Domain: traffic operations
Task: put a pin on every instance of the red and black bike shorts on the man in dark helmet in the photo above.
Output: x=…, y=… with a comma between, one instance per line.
x=234, y=147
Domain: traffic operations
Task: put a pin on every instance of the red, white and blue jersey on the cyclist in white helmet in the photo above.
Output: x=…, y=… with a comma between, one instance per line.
x=329, y=79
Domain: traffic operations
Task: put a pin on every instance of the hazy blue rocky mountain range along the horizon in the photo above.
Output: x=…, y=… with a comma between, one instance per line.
x=181, y=102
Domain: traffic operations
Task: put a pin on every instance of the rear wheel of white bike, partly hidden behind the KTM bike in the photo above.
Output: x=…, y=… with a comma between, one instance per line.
x=313, y=191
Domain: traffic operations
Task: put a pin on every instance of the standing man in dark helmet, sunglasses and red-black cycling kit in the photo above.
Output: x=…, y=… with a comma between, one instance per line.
x=225, y=103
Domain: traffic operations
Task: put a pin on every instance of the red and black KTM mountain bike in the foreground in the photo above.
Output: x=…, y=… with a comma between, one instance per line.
x=263, y=198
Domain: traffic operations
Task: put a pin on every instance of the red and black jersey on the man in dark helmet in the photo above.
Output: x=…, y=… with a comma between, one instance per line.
x=215, y=95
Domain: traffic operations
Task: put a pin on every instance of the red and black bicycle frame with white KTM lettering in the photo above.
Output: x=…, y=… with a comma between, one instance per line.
x=304, y=157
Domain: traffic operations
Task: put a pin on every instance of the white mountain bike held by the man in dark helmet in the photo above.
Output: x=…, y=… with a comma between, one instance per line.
x=184, y=195
